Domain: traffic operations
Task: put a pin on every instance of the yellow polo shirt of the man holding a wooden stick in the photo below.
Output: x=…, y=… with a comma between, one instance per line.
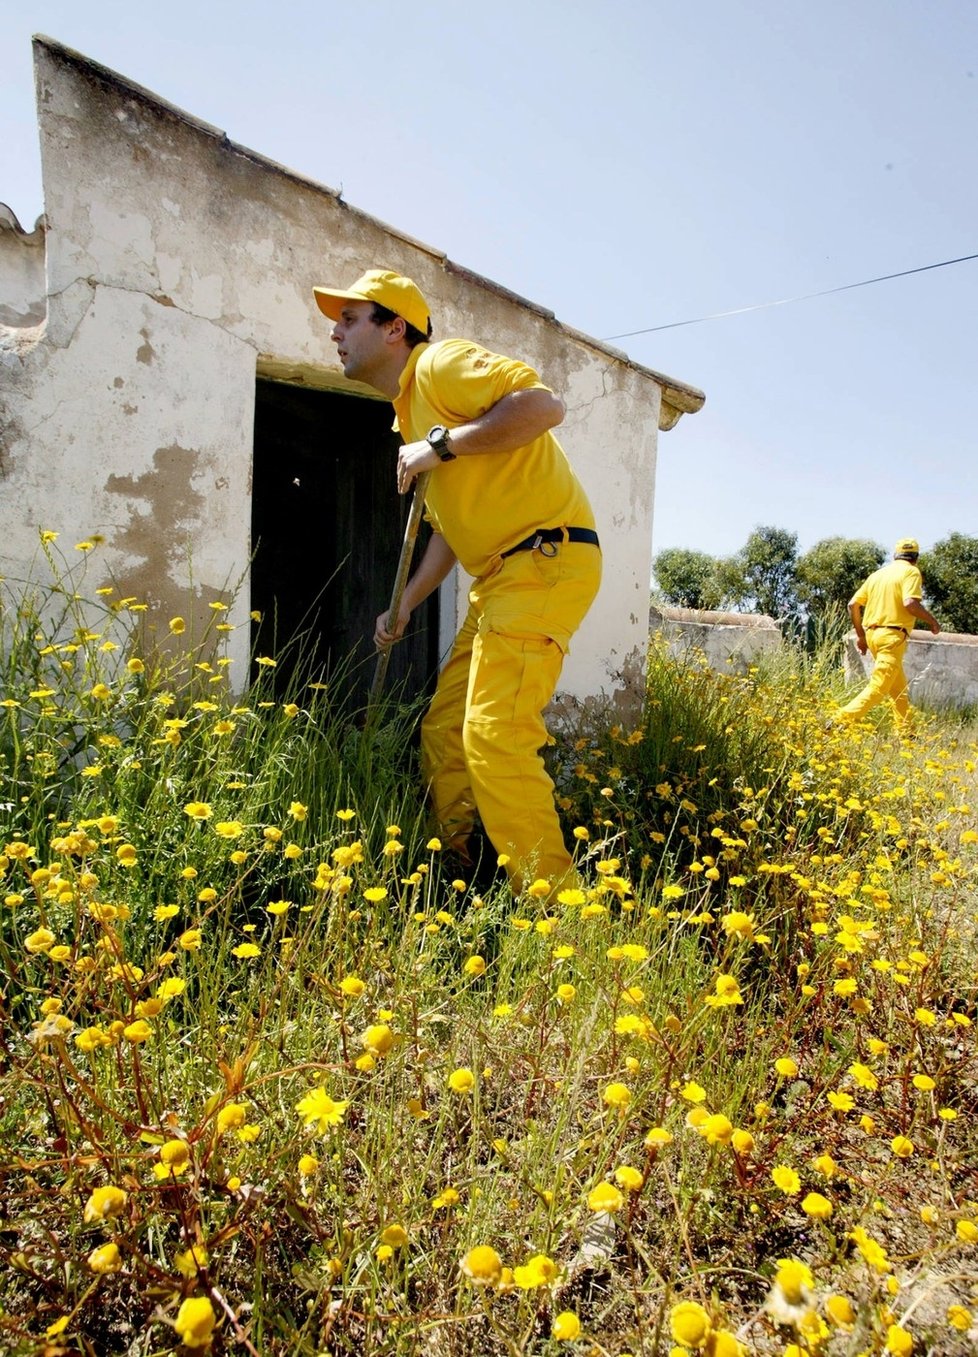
x=485, y=504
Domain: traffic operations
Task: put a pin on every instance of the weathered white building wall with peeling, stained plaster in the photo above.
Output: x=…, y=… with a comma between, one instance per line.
x=178, y=265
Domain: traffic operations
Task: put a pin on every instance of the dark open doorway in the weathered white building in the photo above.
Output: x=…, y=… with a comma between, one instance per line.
x=328, y=529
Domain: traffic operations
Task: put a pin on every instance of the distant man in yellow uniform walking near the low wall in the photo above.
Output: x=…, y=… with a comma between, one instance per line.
x=884, y=613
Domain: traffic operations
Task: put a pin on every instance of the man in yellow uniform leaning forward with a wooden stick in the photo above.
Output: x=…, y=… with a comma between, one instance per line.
x=504, y=503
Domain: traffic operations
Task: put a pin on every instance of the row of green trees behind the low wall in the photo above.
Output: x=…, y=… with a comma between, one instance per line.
x=770, y=576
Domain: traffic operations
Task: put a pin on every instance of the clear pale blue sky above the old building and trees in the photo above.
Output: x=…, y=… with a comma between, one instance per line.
x=630, y=165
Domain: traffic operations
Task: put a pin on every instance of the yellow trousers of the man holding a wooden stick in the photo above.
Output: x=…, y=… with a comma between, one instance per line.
x=485, y=729
